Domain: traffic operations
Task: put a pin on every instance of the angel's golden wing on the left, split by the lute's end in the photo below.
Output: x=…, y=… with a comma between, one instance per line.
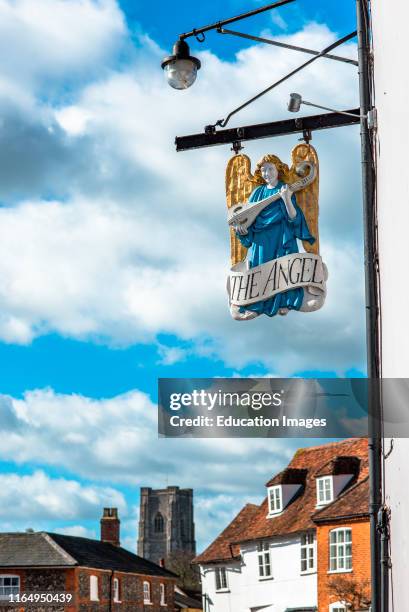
x=239, y=185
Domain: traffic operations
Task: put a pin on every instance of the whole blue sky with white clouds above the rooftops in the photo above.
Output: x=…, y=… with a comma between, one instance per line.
x=114, y=251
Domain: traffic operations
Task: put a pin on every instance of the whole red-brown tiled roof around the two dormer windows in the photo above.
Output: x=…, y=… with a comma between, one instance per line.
x=298, y=516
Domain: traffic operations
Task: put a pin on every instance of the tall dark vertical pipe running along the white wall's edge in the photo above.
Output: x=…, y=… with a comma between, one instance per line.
x=372, y=310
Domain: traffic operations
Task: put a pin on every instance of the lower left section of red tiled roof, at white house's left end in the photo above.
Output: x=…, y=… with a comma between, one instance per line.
x=221, y=548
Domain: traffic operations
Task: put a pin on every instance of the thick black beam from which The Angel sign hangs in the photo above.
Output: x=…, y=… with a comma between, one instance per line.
x=266, y=130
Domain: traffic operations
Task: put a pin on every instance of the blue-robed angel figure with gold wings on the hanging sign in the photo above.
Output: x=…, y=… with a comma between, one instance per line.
x=276, y=228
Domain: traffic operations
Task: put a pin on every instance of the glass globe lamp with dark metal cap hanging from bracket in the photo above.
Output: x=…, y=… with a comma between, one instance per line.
x=181, y=68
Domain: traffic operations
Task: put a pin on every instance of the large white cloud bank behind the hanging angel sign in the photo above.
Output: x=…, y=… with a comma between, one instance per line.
x=138, y=244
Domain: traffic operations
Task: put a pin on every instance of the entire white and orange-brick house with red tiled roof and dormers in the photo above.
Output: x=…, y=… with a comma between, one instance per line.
x=295, y=550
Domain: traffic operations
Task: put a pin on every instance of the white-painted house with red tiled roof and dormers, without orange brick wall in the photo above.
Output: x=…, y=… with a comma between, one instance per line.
x=266, y=559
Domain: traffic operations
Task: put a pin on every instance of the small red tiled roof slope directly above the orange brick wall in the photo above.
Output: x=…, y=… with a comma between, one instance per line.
x=353, y=503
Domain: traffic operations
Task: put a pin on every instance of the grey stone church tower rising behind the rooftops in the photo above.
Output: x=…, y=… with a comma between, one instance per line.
x=166, y=523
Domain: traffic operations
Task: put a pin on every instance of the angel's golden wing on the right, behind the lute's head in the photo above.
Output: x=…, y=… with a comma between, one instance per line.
x=307, y=198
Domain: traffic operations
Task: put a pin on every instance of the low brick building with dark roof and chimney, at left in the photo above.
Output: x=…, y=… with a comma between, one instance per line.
x=101, y=575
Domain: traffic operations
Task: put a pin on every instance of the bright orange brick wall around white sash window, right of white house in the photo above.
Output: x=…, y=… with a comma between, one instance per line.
x=361, y=562
